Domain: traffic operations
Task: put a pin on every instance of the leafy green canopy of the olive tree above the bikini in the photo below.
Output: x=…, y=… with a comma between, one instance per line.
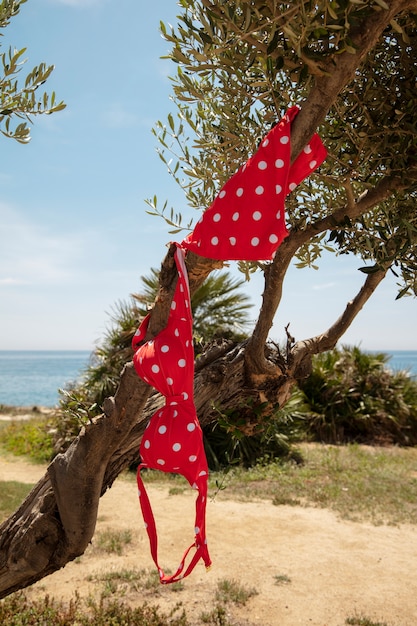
x=240, y=64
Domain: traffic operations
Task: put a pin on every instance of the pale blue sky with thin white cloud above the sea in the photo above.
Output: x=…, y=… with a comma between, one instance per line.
x=75, y=237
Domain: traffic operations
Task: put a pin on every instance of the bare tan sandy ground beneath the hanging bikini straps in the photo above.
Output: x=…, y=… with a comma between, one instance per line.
x=333, y=569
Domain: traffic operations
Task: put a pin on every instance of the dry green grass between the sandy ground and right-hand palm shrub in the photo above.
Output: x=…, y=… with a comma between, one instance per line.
x=360, y=483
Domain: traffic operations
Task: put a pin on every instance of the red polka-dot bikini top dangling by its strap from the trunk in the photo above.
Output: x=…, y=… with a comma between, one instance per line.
x=173, y=441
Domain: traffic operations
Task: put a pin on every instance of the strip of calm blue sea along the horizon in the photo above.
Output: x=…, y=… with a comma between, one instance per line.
x=33, y=378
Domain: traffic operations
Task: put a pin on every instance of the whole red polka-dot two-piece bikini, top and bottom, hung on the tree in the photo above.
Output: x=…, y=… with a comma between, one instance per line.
x=246, y=221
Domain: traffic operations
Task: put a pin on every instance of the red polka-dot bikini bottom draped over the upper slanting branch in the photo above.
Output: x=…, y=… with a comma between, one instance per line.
x=246, y=221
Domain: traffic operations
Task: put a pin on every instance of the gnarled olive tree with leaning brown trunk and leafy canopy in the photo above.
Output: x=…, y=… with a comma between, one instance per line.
x=351, y=67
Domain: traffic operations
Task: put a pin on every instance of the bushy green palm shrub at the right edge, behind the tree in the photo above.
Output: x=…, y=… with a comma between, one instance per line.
x=354, y=397
